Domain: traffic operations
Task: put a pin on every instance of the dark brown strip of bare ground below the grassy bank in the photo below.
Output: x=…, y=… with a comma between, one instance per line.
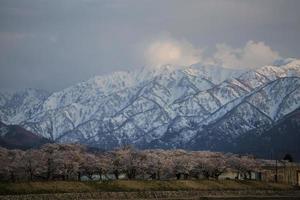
x=164, y=195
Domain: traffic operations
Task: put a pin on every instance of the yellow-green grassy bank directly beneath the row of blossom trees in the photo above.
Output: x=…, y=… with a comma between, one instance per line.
x=51, y=187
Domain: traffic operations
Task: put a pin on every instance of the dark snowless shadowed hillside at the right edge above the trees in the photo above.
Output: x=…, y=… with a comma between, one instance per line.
x=275, y=142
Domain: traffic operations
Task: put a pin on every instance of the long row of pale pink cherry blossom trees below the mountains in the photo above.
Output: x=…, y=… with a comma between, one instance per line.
x=72, y=161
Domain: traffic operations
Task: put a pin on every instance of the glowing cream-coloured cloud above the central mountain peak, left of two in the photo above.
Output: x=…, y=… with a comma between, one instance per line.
x=173, y=52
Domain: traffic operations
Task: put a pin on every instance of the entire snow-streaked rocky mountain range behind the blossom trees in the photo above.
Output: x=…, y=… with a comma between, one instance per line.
x=194, y=107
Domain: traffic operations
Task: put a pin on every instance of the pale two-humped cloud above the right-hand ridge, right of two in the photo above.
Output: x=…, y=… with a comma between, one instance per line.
x=252, y=55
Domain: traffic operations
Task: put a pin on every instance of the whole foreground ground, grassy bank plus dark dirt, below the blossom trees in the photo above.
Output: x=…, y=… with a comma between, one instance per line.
x=125, y=189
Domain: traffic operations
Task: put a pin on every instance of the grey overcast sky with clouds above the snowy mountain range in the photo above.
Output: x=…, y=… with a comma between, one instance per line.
x=51, y=44
